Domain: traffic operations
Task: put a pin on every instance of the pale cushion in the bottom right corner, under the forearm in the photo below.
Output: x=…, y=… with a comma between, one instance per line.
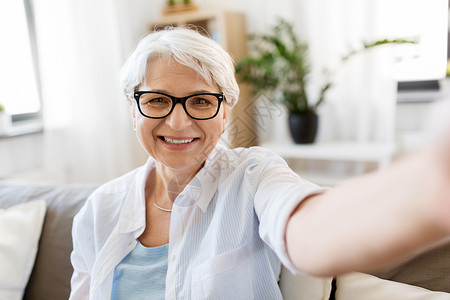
x=360, y=286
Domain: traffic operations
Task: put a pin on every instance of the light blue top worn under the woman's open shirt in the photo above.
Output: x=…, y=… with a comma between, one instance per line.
x=141, y=274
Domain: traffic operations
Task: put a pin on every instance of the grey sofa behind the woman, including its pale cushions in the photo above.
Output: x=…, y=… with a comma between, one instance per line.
x=48, y=268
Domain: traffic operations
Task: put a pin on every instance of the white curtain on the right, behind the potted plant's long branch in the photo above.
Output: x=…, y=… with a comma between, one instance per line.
x=361, y=105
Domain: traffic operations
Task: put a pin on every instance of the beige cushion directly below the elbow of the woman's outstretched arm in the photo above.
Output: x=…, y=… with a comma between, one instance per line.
x=303, y=287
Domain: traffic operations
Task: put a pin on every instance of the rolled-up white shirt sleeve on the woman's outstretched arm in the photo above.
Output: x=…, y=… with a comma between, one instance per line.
x=279, y=191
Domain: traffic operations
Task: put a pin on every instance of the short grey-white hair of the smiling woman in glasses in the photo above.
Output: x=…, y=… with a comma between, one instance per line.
x=188, y=47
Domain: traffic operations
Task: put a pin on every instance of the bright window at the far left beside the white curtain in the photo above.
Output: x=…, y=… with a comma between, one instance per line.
x=19, y=80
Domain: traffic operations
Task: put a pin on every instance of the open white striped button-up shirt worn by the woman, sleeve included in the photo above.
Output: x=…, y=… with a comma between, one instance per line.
x=226, y=237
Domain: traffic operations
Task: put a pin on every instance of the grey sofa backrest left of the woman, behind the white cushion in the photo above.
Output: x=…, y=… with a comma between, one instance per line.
x=50, y=278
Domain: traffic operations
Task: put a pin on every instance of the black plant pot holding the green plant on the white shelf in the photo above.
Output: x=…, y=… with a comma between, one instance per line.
x=303, y=127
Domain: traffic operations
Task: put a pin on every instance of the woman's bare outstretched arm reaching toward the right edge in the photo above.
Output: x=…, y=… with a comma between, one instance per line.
x=375, y=220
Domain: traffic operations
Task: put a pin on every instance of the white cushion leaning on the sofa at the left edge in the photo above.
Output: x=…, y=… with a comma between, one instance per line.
x=20, y=230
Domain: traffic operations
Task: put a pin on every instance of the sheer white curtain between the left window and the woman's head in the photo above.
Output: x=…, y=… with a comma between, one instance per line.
x=88, y=135
